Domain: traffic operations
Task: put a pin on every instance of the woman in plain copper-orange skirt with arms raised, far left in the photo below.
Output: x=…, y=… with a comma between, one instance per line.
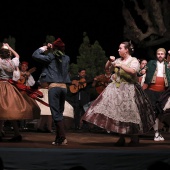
x=14, y=105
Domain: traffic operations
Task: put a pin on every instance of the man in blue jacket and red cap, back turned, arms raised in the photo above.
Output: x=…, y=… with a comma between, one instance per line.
x=55, y=74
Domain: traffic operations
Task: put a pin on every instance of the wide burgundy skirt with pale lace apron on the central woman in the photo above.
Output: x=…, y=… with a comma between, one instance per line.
x=124, y=110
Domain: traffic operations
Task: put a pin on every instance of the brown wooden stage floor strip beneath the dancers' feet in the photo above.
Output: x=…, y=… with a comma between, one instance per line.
x=84, y=140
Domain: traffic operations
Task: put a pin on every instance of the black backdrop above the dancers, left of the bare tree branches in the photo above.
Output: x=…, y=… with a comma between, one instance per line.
x=30, y=21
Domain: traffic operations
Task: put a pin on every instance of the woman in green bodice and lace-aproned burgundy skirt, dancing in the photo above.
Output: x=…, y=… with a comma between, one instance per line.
x=122, y=107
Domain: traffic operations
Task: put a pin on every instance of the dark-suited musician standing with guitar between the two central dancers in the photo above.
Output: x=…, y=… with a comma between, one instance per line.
x=81, y=97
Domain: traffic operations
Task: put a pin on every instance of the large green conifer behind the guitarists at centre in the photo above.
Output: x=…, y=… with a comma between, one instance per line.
x=91, y=57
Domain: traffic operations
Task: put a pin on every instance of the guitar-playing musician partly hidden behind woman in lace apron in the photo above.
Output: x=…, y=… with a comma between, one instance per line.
x=100, y=82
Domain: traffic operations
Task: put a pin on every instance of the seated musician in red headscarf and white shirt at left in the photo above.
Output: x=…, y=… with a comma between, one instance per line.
x=25, y=76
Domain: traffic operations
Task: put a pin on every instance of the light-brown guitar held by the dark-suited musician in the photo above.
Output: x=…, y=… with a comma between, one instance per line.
x=76, y=85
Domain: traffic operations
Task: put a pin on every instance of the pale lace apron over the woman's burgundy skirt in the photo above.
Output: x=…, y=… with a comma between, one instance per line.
x=118, y=104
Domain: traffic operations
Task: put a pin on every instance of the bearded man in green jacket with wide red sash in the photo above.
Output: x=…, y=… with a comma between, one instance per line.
x=156, y=82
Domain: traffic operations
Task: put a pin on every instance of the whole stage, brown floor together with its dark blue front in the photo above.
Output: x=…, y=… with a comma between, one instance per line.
x=92, y=150
